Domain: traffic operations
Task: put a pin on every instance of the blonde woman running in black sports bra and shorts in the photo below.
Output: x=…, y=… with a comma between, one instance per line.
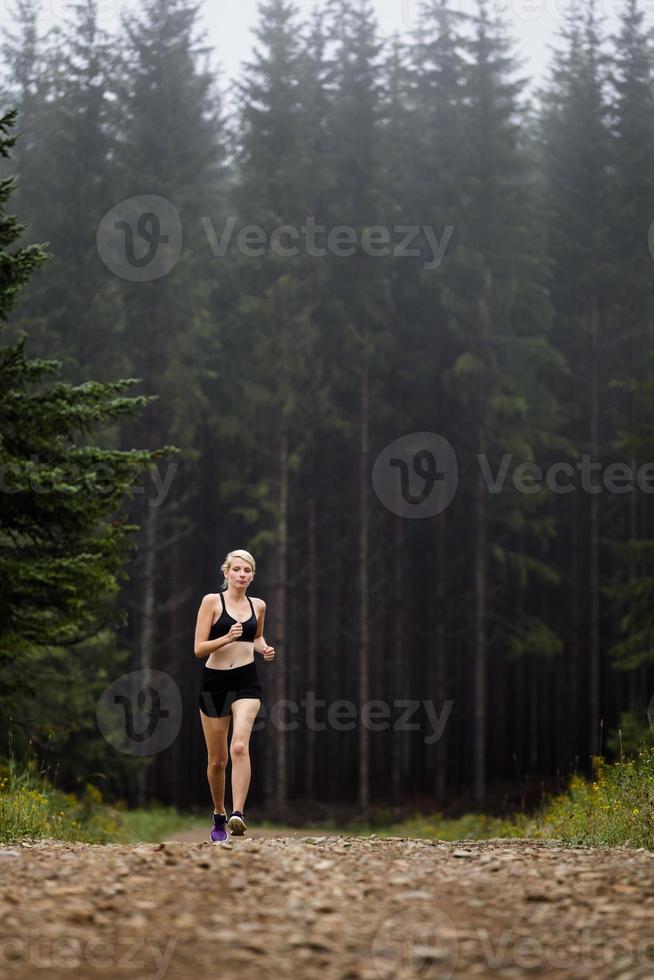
x=228, y=631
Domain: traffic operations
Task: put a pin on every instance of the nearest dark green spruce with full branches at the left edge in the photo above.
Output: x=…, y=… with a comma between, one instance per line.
x=63, y=539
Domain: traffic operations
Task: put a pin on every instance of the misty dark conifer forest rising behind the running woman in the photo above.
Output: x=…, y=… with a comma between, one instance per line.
x=379, y=311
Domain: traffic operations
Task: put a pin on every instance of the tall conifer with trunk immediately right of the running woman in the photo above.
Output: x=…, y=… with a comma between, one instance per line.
x=278, y=144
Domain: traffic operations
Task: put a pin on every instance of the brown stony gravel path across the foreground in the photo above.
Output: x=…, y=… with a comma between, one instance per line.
x=324, y=906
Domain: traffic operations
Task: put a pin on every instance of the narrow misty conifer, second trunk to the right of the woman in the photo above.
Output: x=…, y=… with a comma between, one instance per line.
x=315, y=183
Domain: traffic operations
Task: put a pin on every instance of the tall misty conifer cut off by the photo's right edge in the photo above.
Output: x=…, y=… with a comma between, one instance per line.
x=632, y=335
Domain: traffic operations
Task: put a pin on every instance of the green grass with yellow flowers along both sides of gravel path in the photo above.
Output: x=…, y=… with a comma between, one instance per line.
x=615, y=807
